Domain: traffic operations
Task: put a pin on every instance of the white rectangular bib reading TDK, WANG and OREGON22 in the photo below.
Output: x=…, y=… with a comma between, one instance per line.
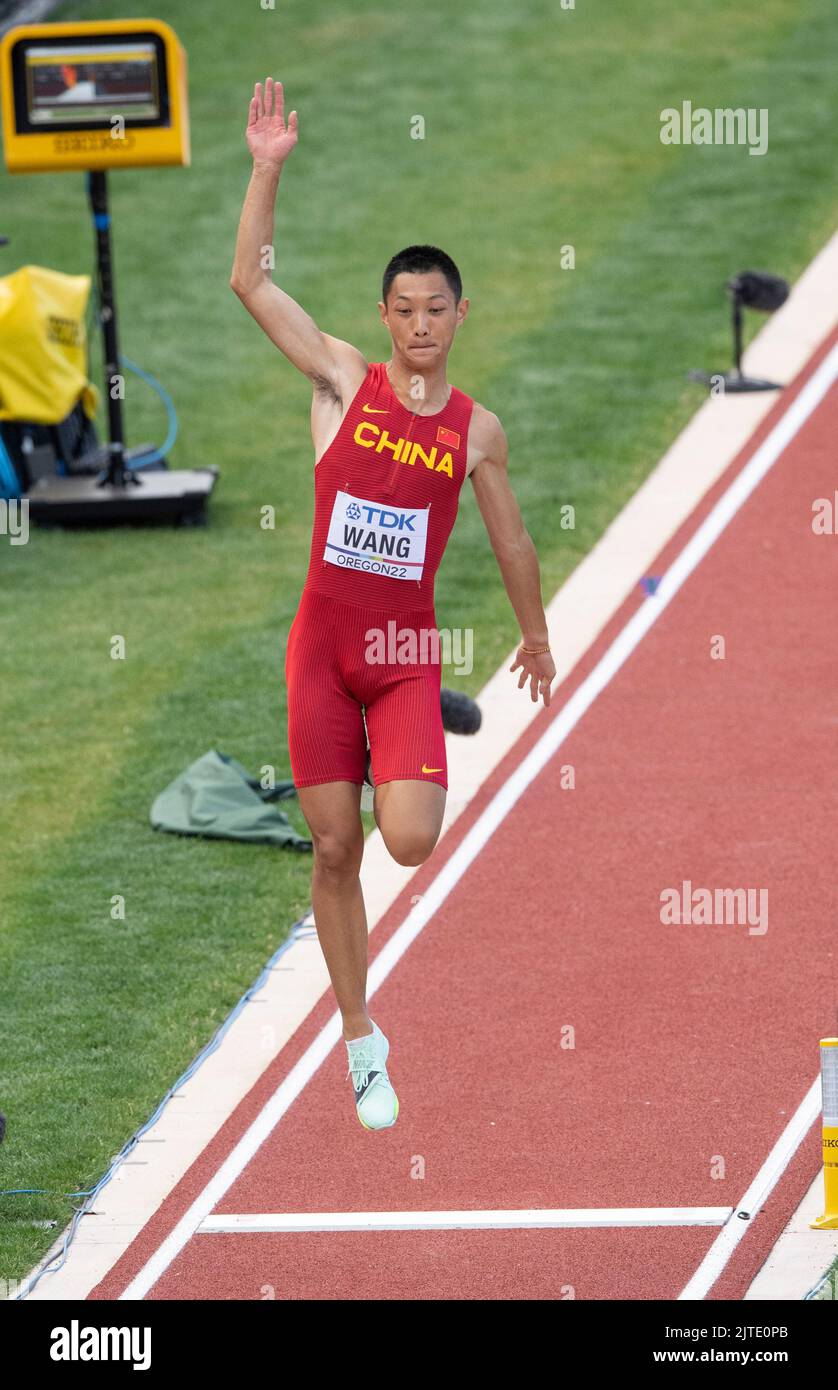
x=368, y=536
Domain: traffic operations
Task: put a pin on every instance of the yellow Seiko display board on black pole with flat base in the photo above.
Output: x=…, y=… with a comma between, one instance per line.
x=102, y=95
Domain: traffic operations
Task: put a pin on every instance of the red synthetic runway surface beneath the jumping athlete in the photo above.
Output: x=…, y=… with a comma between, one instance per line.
x=694, y=1045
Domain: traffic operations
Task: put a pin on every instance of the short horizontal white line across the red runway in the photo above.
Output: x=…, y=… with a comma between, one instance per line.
x=536, y=1218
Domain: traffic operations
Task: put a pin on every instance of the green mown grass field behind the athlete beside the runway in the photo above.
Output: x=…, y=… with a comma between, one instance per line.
x=543, y=131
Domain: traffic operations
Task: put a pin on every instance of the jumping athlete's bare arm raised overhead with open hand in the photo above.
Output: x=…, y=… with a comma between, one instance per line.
x=334, y=368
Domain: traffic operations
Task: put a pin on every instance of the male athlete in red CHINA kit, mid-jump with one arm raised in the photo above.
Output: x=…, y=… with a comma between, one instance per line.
x=394, y=445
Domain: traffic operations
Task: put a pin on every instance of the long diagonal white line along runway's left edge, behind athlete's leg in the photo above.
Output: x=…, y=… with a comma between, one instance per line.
x=623, y=646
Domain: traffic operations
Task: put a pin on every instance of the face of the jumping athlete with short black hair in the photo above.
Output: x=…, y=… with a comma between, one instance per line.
x=423, y=318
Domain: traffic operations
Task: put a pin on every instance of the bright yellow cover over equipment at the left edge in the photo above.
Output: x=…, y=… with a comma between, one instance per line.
x=44, y=347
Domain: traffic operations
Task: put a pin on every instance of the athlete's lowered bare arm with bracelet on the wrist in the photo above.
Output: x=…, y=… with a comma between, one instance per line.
x=512, y=546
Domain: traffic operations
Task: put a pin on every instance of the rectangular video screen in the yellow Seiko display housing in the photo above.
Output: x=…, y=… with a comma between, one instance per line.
x=80, y=83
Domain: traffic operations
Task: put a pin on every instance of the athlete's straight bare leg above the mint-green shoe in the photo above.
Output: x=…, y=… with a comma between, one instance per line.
x=334, y=818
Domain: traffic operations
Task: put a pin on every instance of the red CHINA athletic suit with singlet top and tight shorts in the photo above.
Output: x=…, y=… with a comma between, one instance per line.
x=365, y=639
